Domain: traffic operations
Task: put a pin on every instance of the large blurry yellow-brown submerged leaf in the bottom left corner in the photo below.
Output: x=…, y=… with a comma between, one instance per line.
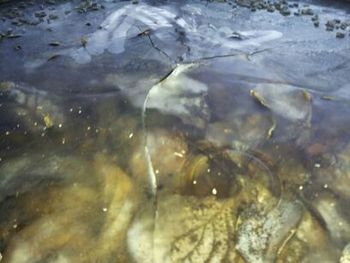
x=67, y=217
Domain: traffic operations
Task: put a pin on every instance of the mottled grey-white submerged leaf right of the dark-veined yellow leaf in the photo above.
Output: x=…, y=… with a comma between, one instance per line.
x=260, y=236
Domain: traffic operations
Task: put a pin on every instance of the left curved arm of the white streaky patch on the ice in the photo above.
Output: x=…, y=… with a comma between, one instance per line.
x=116, y=27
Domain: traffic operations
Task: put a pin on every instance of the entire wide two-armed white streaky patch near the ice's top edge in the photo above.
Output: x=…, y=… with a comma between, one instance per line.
x=128, y=22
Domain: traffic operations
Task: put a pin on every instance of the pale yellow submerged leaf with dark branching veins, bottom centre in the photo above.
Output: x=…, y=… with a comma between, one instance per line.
x=186, y=230
